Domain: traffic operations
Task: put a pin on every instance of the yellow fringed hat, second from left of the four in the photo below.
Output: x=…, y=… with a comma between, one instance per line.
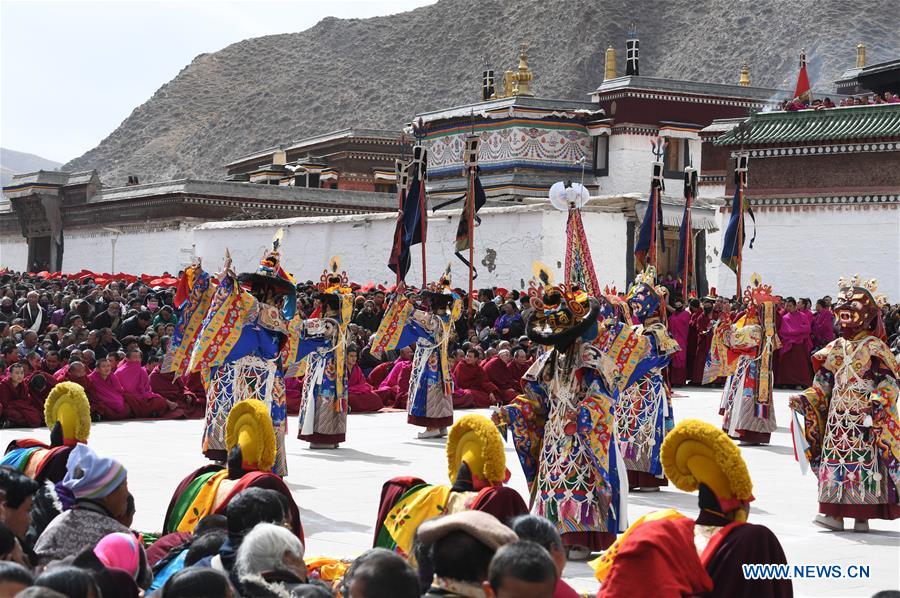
x=249, y=426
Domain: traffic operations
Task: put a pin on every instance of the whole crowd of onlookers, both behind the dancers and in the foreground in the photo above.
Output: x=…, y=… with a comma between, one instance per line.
x=112, y=337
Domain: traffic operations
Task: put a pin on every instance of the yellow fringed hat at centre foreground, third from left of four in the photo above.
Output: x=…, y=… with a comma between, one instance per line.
x=475, y=440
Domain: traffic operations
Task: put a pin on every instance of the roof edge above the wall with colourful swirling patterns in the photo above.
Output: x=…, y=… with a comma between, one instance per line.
x=511, y=107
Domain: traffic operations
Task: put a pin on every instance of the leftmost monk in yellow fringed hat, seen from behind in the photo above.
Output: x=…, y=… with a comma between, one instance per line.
x=68, y=416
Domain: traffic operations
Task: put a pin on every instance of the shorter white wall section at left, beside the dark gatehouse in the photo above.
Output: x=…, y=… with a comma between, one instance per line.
x=138, y=250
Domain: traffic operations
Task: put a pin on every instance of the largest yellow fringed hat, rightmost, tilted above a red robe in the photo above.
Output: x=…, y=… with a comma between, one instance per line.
x=696, y=453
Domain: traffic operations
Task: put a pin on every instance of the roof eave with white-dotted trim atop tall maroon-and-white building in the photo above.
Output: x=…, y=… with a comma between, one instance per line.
x=657, y=88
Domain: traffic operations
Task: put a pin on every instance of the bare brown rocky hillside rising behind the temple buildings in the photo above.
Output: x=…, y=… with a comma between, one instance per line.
x=379, y=72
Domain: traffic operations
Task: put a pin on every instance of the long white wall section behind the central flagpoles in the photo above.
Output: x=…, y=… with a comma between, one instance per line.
x=507, y=243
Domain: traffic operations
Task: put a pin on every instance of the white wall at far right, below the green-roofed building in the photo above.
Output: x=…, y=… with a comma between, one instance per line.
x=803, y=253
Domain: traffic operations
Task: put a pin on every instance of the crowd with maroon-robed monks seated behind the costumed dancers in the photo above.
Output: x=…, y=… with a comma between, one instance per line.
x=112, y=337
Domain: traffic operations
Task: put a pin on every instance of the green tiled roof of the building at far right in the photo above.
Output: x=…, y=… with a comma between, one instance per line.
x=880, y=123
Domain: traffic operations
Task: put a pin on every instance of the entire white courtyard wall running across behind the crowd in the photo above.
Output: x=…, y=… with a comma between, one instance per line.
x=800, y=250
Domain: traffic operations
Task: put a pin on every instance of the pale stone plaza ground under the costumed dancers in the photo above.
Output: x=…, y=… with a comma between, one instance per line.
x=338, y=491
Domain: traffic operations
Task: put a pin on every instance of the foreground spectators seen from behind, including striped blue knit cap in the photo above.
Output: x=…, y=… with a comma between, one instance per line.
x=89, y=550
